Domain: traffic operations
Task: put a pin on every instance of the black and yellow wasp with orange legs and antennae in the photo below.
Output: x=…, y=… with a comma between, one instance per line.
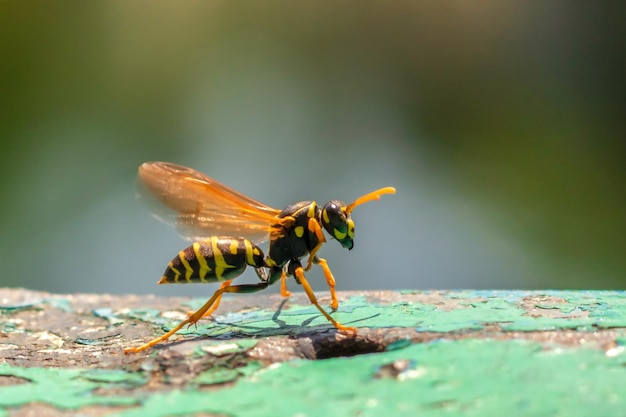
x=226, y=228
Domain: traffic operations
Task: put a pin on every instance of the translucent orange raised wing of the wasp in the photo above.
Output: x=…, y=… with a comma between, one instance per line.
x=200, y=207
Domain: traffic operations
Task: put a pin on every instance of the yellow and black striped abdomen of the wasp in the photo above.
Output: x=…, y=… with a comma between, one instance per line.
x=216, y=259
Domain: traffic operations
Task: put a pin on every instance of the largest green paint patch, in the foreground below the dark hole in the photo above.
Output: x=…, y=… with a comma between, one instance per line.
x=472, y=376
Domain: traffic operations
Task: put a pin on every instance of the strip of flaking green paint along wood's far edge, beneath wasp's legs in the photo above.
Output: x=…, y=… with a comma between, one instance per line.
x=578, y=310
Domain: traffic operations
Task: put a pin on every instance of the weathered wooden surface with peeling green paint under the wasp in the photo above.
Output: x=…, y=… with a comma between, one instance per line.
x=471, y=353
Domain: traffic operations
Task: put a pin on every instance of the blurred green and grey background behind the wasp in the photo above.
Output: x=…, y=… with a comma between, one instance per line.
x=501, y=124
